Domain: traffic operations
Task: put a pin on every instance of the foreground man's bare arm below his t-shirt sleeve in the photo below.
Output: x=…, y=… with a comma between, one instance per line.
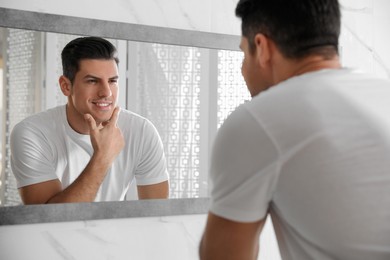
x=230, y=240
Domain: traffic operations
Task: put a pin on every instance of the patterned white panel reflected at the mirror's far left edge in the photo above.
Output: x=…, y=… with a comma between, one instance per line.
x=22, y=94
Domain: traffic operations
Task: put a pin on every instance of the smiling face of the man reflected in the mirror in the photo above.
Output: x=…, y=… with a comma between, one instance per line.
x=94, y=91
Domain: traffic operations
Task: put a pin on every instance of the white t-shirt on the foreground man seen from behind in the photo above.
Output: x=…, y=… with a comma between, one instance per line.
x=314, y=151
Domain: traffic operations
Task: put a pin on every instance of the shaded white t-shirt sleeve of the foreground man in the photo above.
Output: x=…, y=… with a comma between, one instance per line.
x=244, y=169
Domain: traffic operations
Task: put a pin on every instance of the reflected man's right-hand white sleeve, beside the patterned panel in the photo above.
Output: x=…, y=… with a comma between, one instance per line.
x=152, y=166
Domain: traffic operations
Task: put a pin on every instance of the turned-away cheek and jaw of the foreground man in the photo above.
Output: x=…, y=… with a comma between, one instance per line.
x=255, y=76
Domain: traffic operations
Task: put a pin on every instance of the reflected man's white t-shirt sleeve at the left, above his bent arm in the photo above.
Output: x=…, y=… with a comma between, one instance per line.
x=31, y=156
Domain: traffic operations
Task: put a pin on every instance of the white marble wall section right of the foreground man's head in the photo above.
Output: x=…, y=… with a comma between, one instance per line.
x=364, y=38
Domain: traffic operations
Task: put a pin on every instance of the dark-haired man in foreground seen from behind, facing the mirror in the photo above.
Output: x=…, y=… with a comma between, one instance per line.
x=311, y=148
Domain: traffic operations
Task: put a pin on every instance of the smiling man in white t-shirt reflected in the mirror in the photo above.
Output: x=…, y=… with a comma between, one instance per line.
x=87, y=150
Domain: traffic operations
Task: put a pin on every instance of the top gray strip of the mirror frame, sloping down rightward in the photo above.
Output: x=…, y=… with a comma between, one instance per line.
x=28, y=20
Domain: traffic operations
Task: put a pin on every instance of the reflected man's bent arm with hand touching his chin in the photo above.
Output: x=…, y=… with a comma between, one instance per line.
x=107, y=142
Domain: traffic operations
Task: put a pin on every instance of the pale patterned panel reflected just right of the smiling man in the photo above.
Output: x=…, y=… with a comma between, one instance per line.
x=168, y=94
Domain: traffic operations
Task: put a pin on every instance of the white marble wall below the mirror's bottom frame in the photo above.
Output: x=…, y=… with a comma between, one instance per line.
x=169, y=237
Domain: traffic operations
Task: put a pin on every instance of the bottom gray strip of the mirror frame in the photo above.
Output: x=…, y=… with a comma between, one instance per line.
x=32, y=214
